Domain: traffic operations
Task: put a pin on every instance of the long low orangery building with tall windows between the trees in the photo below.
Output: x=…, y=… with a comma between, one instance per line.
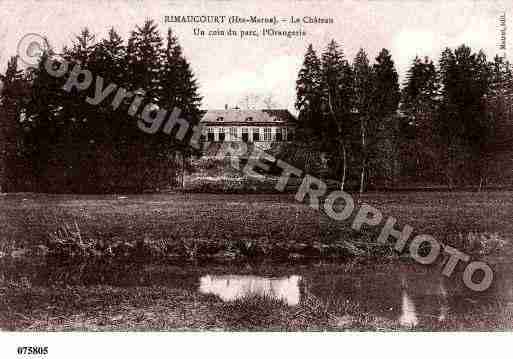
x=236, y=125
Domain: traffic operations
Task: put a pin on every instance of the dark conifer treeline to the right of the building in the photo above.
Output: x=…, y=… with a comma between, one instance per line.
x=436, y=130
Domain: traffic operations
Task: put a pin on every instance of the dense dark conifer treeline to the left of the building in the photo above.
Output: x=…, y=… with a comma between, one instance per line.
x=64, y=144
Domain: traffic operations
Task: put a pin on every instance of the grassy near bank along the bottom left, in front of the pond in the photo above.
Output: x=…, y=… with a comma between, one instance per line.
x=103, y=307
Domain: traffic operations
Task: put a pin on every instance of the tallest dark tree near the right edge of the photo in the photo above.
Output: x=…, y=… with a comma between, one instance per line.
x=463, y=127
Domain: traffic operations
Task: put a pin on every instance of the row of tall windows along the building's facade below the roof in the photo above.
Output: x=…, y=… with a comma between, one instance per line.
x=257, y=134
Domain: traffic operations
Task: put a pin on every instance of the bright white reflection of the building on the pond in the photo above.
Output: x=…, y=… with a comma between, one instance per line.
x=231, y=287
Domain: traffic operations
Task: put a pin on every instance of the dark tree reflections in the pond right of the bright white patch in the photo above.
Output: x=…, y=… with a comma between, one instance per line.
x=415, y=299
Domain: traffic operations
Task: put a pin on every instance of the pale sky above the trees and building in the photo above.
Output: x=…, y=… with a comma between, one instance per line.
x=229, y=68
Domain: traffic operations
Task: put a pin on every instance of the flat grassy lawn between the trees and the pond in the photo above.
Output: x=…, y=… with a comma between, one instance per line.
x=229, y=226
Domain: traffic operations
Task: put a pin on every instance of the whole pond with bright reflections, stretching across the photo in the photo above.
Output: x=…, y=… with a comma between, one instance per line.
x=404, y=295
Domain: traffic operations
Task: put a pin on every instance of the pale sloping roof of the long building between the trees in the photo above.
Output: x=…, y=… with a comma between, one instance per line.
x=247, y=117
